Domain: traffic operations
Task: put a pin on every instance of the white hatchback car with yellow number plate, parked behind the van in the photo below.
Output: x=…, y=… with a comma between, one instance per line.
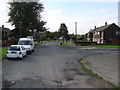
x=16, y=51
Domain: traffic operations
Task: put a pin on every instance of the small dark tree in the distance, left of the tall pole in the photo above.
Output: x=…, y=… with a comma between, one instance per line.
x=63, y=31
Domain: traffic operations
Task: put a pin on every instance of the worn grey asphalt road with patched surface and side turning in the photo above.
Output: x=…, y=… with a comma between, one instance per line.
x=51, y=66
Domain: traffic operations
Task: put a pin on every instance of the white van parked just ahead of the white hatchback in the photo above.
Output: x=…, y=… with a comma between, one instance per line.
x=27, y=43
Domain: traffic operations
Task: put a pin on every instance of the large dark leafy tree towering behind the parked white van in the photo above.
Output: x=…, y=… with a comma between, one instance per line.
x=25, y=16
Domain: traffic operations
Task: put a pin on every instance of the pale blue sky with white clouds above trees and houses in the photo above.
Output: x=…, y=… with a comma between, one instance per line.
x=87, y=14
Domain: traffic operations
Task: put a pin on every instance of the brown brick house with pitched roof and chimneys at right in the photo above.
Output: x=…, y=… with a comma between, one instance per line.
x=107, y=34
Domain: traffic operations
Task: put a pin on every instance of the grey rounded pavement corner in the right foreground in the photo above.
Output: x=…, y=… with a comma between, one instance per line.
x=105, y=65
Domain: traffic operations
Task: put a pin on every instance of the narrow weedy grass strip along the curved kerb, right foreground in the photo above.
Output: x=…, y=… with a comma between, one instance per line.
x=96, y=75
